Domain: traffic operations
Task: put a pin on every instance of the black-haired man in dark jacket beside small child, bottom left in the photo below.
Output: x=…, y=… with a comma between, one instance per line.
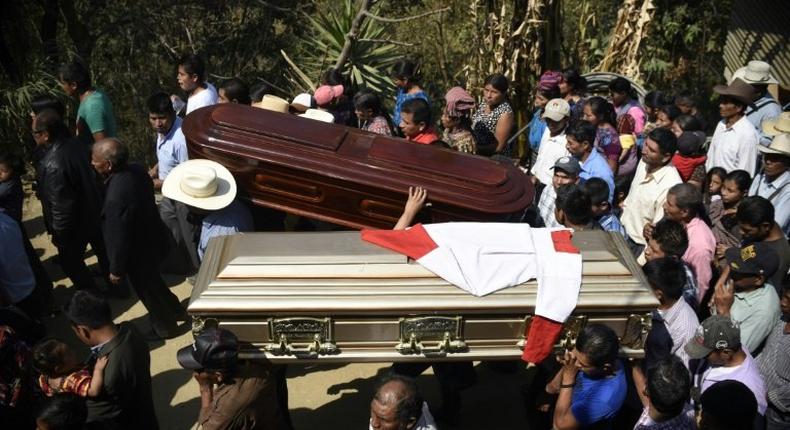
x=125, y=401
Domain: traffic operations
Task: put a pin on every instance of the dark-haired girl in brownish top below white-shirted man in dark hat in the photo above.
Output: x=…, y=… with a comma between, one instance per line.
x=723, y=211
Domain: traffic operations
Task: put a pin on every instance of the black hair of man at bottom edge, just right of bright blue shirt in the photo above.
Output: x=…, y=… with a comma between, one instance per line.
x=668, y=386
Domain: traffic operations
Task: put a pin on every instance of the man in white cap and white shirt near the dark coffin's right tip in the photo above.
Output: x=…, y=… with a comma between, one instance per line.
x=552, y=144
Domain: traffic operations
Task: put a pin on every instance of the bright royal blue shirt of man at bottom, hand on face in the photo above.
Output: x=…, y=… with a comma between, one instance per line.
x=596, y=400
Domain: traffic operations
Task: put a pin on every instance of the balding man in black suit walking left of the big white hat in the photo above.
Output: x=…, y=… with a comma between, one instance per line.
x=135, y=234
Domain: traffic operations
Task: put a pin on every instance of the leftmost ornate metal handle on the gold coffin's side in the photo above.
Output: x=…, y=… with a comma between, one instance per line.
x=304, y=337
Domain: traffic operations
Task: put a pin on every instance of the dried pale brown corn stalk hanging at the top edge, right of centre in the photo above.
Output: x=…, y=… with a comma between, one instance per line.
x=632, y=25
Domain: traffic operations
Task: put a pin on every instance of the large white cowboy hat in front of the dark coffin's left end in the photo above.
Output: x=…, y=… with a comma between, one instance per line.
x=203, y=184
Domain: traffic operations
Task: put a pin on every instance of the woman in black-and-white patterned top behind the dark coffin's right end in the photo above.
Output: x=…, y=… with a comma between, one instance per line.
x=492, y=122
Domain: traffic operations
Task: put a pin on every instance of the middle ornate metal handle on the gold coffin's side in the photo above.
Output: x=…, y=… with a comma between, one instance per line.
x=447, y=331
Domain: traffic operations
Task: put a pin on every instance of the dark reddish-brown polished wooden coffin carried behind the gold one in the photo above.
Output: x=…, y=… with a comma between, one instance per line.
x=348, y=176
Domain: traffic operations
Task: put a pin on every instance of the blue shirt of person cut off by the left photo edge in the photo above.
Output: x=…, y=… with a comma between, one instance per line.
x=16, y=276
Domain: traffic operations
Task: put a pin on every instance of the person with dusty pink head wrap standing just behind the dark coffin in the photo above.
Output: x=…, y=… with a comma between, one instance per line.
x=457, y=122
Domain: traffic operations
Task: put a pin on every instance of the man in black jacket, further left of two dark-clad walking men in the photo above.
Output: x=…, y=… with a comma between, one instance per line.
x=70, y=198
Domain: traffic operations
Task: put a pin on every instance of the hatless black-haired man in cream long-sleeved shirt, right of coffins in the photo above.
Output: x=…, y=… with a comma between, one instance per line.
x=654, y=176
